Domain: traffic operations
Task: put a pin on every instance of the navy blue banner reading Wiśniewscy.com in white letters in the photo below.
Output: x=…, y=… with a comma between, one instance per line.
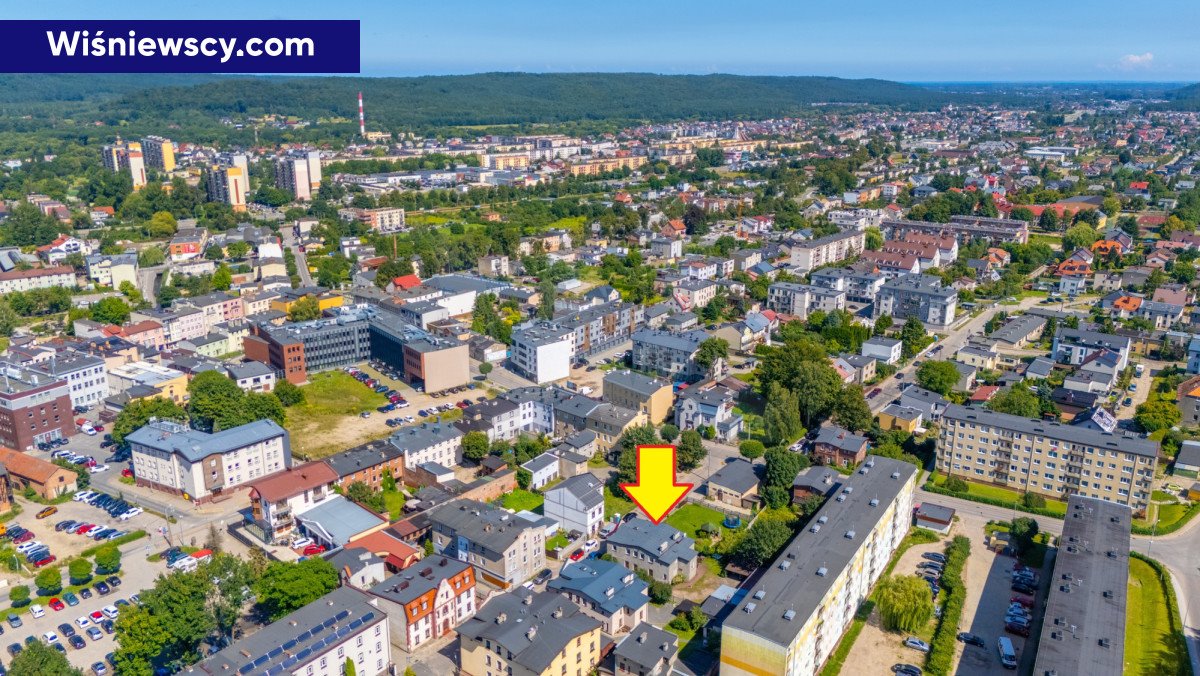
x=181, y=46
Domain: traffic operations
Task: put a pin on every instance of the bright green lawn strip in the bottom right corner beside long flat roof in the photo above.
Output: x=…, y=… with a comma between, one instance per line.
x=1154, y=644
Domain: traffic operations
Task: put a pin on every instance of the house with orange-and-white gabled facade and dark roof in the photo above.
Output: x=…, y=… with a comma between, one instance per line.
x=428, y=601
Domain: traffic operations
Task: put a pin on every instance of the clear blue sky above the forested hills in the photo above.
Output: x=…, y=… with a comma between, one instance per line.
x=922, y=41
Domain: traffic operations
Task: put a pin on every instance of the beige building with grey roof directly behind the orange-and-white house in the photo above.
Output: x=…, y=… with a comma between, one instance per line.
x=505, y=551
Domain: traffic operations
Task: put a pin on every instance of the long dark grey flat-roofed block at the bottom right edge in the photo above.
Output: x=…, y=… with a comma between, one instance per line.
x=1084, y=630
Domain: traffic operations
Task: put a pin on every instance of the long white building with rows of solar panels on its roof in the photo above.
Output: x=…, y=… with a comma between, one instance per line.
x=316, y=641
